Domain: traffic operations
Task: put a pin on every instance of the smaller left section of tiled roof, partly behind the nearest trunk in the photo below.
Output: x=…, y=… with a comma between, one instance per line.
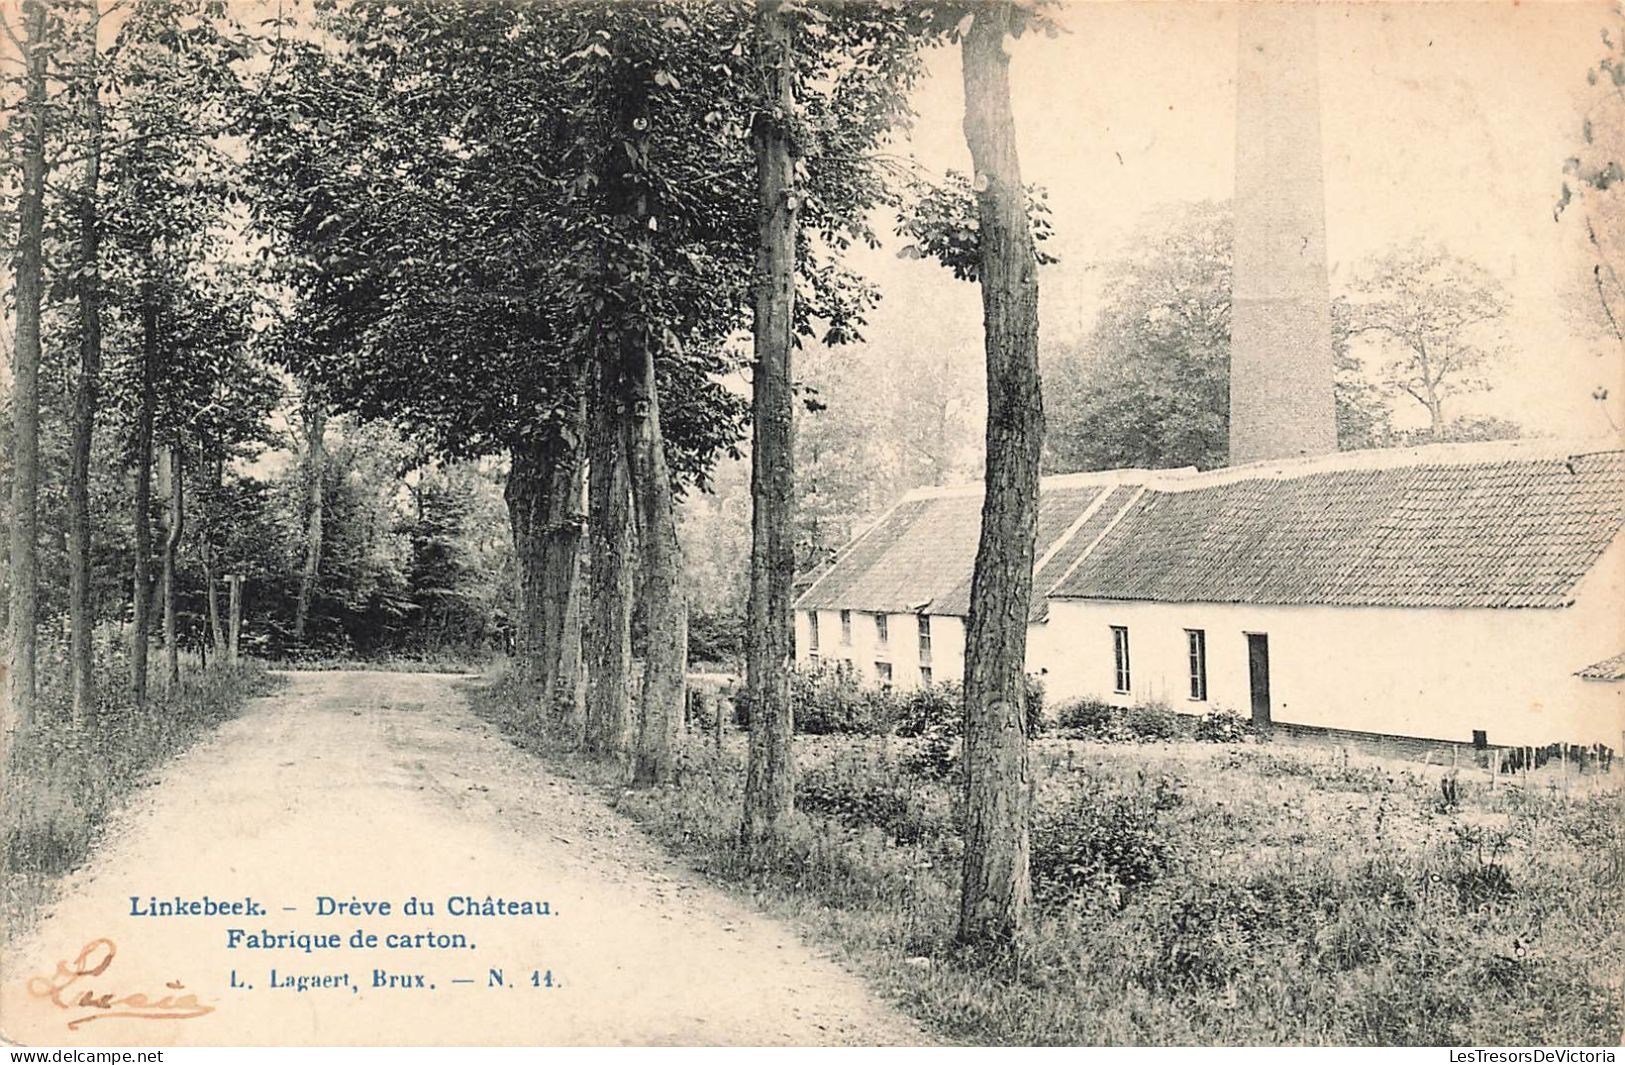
x=924, y=550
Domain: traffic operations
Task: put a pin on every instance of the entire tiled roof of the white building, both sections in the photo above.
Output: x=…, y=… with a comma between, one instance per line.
x=1454, y=526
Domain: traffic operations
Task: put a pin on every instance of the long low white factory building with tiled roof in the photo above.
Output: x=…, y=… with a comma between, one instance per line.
x=1465, y=593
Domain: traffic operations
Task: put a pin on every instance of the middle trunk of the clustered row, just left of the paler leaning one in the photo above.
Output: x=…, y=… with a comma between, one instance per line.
x=610, y=534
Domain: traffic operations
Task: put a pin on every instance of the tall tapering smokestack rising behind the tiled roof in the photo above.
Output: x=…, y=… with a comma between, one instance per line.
x=1281, y=368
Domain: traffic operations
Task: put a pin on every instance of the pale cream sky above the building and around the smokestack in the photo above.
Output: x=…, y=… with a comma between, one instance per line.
x=1447, y=123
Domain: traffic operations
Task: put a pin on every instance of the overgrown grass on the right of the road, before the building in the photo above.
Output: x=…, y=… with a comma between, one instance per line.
x=1187, y=893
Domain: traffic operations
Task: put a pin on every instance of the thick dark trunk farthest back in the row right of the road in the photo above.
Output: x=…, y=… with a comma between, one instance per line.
x=544, y=498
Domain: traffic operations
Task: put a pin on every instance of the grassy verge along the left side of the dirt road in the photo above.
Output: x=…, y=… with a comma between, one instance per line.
x=64, y=783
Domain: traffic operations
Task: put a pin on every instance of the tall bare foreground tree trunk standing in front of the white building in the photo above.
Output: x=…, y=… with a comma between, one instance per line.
x=995, y=889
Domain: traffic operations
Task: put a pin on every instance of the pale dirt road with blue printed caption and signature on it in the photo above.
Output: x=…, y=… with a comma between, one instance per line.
x=378, y=788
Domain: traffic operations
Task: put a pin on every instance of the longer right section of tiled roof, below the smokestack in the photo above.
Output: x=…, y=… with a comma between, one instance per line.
x=1520, y=529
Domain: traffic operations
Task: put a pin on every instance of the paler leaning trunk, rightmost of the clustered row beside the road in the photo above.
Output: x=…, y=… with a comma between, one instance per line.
x=667, y=611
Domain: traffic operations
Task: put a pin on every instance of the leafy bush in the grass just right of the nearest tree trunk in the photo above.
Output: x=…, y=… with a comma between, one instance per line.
x=1098, y=845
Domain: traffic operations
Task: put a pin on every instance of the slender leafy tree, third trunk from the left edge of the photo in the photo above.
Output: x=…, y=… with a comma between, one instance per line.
x=173, y=89
